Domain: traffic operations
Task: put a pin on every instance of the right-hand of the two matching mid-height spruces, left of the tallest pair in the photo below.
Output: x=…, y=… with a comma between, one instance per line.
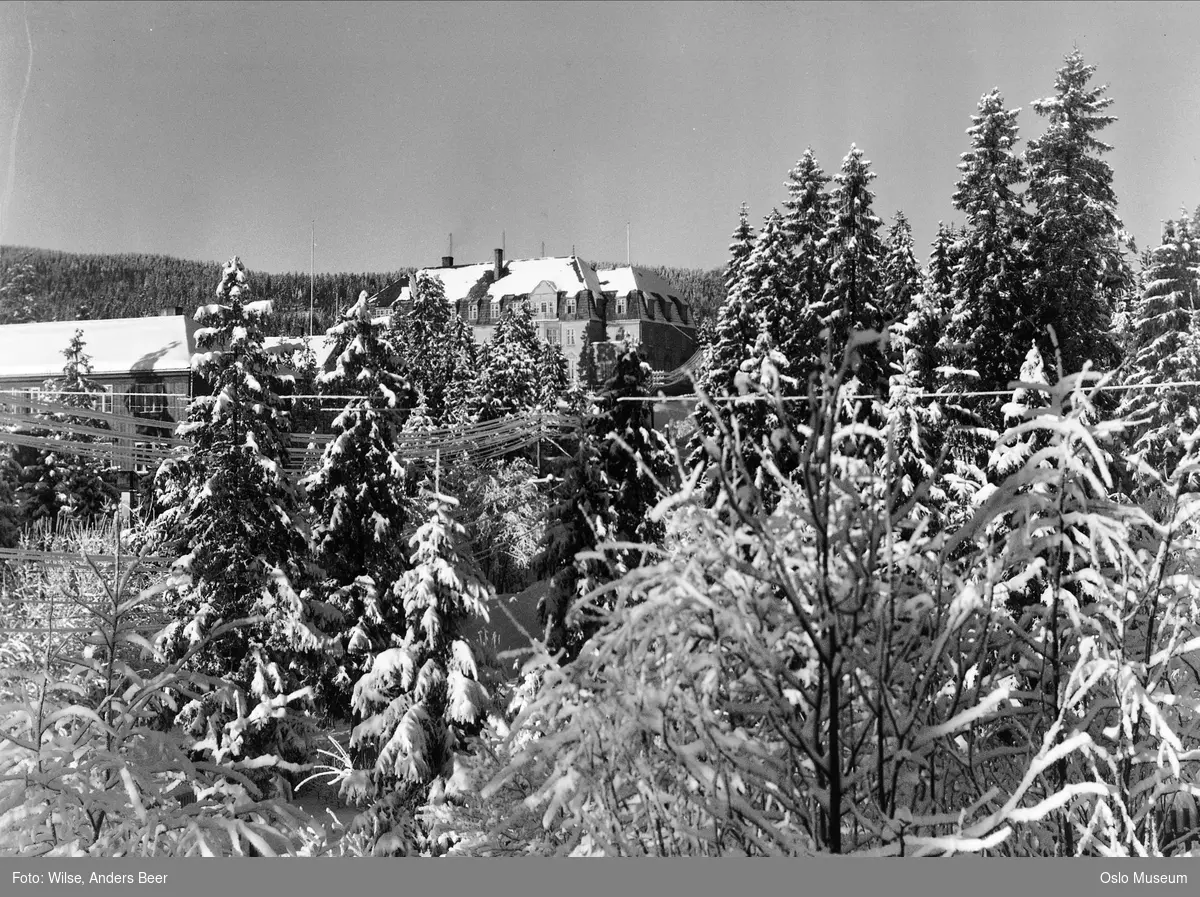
x=854, y=293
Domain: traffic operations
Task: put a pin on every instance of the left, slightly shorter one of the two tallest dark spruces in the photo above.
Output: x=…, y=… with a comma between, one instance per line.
x=993, y=316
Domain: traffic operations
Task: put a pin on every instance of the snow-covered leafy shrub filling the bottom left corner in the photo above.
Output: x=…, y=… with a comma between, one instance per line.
x=87, y=767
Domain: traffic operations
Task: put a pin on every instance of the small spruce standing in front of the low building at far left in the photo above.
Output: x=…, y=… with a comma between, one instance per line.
x=57, y=483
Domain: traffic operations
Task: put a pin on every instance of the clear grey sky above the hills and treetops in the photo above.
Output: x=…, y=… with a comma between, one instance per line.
x=206, y=130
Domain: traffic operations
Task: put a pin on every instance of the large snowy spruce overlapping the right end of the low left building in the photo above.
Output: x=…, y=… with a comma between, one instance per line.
x=237, y=525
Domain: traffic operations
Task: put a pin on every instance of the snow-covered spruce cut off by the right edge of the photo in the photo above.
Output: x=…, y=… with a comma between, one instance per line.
x=1165, y=347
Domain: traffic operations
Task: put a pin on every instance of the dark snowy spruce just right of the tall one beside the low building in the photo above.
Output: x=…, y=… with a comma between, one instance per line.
x=358, y=497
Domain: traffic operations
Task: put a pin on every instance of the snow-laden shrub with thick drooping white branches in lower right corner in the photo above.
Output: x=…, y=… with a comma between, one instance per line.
x=1102, y=627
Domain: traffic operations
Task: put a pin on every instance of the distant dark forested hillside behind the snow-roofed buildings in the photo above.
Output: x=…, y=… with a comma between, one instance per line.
x=46, y=285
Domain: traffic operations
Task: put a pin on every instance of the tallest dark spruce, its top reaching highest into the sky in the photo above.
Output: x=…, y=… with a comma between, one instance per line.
x=1077, y=240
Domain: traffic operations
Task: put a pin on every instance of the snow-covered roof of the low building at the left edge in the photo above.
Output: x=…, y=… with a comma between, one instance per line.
x=118, y=346
